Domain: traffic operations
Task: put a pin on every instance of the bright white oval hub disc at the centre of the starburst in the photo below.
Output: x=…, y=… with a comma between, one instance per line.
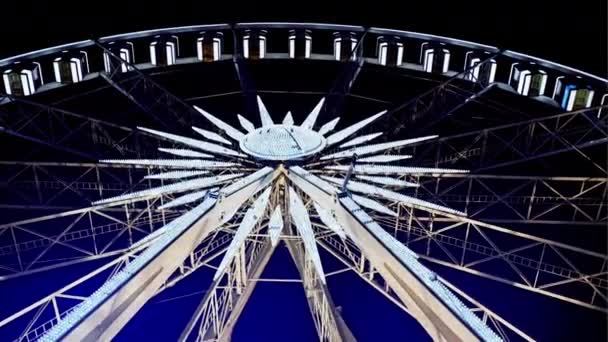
x=282, y=142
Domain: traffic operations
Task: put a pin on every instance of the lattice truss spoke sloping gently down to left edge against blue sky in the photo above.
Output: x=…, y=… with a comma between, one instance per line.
x=78, y=235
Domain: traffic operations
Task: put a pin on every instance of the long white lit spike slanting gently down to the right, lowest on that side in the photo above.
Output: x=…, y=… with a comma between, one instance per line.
x=372, y=190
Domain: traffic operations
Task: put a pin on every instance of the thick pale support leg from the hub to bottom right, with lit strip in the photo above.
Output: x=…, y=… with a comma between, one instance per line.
x=398, y=266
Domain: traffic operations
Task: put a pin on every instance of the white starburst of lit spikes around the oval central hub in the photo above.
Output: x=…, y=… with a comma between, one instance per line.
x=213, y=160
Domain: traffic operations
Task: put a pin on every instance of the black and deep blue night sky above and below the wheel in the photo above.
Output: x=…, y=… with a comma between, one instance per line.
x=571, y=33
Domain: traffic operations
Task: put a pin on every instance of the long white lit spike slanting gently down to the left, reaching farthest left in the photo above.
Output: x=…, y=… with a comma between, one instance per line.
x=193, y=184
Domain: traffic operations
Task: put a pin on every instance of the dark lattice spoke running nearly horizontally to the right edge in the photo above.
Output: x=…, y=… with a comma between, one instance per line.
x=521, y=199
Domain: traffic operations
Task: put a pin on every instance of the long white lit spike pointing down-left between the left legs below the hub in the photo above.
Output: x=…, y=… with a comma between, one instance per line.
x=252, y=216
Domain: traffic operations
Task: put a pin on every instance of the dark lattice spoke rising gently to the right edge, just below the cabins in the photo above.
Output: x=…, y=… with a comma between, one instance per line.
x=496, y=147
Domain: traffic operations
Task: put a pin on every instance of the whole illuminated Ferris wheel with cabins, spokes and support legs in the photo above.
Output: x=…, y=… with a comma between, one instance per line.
x=136, y=162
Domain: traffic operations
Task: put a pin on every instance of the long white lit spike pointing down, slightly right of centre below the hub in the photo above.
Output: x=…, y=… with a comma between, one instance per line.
x=301, y=220
